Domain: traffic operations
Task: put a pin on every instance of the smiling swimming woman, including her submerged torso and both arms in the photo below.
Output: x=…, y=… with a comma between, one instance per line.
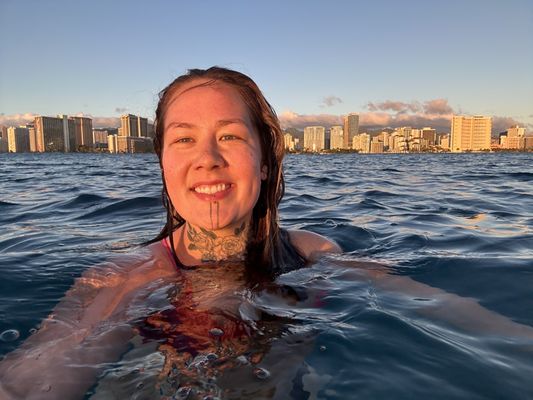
x=220, y=150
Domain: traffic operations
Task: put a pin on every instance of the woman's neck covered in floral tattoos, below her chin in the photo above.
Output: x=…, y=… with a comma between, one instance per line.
x=215, y=245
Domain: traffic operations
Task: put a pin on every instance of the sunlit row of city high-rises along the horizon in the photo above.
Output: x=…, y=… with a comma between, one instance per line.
x=76, y=134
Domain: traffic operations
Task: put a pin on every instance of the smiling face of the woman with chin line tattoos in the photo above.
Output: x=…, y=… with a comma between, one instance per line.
x=211, y=156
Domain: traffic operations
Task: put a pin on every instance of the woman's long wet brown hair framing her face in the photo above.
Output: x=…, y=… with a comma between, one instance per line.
x=266, y=248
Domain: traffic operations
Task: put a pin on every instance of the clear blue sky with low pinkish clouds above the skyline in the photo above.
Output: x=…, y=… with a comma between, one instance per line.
x=396, y=63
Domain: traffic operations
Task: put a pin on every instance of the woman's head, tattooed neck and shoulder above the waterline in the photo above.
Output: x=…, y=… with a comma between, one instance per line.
x=220, y=147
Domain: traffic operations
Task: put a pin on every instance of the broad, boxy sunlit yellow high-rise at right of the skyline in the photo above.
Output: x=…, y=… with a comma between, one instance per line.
x=470, y=133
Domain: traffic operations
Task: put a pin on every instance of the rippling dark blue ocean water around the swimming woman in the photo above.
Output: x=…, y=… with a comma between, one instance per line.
x=432, y=298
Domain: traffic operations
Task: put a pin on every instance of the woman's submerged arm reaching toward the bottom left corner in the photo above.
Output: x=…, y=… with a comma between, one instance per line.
x=87, y=329
